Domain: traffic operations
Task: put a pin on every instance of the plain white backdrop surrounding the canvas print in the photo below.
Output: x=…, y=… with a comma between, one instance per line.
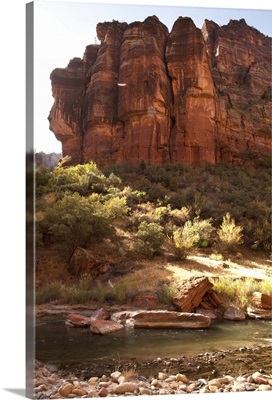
x=12, y=264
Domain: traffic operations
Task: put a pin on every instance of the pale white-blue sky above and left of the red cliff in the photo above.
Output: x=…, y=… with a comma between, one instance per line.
x=64, y=29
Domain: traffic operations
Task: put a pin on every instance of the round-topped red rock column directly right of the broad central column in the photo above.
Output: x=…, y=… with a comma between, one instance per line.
x=194, y=133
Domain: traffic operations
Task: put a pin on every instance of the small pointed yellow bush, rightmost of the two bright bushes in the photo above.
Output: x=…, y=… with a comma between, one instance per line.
x=229, y=233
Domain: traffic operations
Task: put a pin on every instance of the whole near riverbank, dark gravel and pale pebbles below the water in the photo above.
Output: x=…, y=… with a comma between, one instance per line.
x=242, y=370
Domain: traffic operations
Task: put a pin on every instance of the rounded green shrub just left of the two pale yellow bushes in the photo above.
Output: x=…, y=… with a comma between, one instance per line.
x=150, y=238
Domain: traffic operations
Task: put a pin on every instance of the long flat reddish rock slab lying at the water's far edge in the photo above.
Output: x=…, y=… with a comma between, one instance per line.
x=170, y=319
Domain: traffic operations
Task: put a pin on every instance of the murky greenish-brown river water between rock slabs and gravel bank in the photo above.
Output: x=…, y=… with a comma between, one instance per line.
x=58, y=344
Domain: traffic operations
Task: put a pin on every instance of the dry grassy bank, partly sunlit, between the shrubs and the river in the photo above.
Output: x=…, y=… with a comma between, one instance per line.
x=159, y=275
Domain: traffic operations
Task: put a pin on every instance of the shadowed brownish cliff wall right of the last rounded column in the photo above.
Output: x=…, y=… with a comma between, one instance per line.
x=240, y=60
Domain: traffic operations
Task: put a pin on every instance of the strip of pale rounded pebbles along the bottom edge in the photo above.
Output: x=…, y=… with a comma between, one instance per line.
x=53, y=387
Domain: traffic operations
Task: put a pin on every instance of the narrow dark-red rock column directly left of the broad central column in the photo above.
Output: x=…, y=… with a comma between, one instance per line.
x=102, y=133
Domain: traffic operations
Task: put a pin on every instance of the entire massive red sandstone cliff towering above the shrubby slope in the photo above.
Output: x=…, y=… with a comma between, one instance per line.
x=187, y=96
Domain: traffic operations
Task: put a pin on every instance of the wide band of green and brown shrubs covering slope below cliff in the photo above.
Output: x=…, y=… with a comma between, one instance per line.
x=79, y=204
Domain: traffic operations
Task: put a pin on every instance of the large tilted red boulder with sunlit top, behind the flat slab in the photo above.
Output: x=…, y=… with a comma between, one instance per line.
x=191, y=292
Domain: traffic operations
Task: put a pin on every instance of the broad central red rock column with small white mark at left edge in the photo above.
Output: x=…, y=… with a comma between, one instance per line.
x=144, y=101
